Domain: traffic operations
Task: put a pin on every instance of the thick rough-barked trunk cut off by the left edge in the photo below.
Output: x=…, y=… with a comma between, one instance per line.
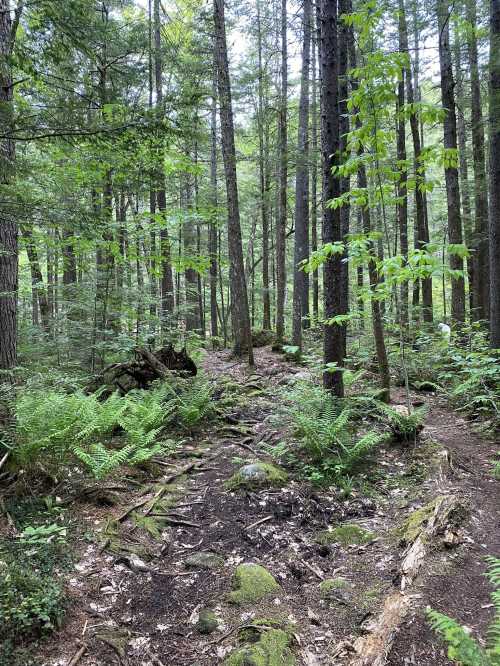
x=8, y=224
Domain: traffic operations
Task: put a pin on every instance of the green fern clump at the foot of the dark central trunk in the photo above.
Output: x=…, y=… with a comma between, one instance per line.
x=329, y=432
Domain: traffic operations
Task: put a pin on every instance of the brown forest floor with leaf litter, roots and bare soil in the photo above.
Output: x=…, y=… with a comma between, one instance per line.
x=133, y=598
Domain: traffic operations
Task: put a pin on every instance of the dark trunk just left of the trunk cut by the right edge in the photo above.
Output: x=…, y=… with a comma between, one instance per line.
x=481, y=278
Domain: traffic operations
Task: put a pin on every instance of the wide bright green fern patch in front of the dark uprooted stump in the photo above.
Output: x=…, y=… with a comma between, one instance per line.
x=54, y=427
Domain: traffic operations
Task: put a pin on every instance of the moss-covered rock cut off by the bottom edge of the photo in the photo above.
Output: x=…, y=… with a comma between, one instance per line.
x=272, y=649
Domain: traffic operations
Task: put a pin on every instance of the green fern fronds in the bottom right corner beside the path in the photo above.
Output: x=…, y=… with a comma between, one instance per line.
x=463, y=649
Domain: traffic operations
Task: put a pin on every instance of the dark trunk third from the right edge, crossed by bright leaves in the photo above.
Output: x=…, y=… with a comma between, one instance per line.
x=451, y=172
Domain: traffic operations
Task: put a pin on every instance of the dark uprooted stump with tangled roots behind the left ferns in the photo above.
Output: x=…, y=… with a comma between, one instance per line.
x=144, y=369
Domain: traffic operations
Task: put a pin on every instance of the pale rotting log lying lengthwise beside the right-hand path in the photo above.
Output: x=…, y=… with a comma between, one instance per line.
x=423, y=531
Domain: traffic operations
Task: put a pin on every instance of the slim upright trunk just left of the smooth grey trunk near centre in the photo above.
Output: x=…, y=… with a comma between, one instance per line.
x=283, y=183
